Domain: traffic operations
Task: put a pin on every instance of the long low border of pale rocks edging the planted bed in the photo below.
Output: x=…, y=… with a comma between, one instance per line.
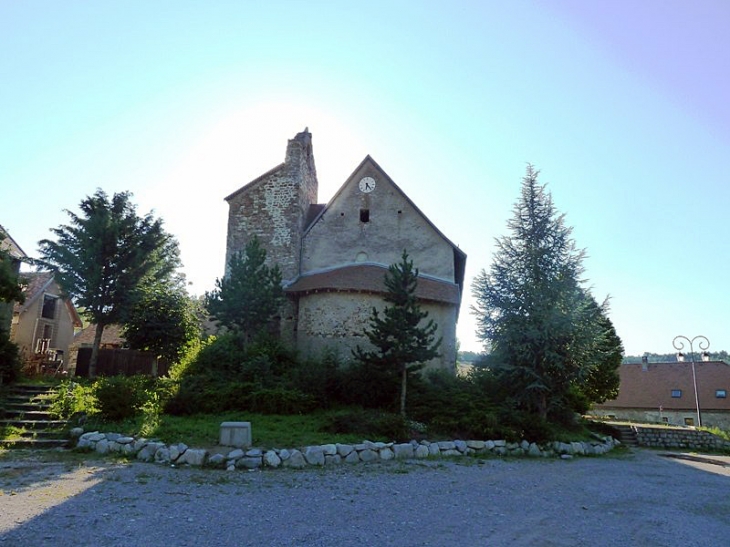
x=328, y=454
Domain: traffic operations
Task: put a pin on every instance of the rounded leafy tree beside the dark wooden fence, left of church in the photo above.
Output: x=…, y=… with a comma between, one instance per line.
x=162, y=319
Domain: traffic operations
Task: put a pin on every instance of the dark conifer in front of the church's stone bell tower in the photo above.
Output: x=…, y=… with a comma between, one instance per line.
x=248, y=298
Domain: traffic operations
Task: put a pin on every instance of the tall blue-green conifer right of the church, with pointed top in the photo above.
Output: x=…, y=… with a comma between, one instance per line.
x=531, y=310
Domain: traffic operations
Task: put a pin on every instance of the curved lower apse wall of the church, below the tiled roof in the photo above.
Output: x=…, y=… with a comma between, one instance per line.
x=337, y=320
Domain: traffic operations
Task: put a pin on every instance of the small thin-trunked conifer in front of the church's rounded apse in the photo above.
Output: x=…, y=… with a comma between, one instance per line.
x=402, y=342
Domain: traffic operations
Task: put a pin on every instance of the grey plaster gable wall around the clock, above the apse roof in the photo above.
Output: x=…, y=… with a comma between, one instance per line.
x=339, y=237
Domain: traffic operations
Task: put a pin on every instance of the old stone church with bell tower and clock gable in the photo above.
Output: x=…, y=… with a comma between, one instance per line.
x=333, y=257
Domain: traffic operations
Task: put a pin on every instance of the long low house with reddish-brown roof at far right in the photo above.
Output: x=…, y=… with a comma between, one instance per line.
x=665, y=393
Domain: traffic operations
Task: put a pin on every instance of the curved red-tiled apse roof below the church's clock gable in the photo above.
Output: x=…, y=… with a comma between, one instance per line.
x=370, y=278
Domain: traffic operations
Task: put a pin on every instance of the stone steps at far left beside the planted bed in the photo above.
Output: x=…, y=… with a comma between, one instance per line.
x=25, y=407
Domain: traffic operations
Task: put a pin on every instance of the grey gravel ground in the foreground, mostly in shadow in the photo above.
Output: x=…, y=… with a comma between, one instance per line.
x=640, y=499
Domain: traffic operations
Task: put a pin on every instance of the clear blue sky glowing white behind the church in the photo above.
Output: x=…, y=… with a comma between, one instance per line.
x=622, y=105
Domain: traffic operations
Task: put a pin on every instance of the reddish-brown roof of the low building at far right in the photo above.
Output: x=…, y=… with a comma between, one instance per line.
x=650, y=386
